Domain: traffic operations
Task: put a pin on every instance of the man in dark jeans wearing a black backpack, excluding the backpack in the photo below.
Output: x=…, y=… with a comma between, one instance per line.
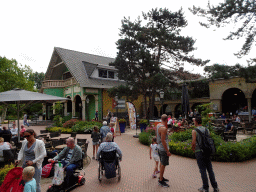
x=204, y=162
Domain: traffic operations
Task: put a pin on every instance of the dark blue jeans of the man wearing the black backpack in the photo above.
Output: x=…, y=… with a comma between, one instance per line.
x=204, y=163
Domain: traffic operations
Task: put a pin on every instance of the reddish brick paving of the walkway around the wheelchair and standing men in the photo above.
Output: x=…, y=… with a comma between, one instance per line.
x=183, y=172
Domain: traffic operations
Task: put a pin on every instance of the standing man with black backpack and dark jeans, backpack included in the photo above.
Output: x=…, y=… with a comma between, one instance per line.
x=203, y=147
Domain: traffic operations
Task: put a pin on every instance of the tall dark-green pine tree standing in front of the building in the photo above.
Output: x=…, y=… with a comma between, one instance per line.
x=144, y=49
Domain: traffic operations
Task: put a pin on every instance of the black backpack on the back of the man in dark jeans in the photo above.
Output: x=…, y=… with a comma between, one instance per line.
x=207, y=146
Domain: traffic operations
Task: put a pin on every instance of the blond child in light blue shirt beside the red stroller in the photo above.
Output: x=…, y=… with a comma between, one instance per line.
x=30, y=182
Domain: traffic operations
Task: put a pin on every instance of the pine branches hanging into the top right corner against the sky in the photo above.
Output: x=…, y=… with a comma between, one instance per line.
x=239, y=12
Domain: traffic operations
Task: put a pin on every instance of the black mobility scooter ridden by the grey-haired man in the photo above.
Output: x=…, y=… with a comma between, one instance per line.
x=76, y=180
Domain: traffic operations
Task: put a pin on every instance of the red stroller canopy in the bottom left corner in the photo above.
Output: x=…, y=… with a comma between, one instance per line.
x=13, y=181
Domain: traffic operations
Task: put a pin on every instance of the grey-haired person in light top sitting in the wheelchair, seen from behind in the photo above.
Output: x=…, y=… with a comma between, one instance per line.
x=109, y=146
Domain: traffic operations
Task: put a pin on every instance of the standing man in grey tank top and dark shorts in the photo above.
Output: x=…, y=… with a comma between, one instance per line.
x=163, y=149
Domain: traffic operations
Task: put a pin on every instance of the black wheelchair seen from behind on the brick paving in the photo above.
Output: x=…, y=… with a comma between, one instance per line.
x=109, y=163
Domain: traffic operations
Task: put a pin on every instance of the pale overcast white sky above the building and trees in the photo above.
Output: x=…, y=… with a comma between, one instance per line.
x=31, y=29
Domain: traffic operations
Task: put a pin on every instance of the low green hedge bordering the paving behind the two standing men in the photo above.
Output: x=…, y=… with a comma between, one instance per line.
x=180, y=144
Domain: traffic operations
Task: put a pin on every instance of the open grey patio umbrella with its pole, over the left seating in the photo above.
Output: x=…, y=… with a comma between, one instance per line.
x=20, y=96
